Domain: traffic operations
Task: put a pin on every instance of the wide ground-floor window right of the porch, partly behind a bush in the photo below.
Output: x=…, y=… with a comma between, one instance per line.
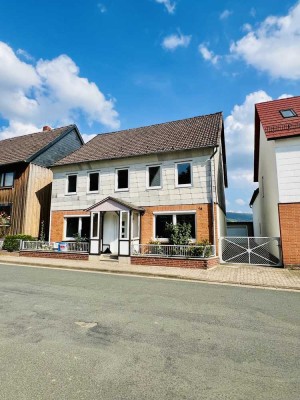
x=160, y=221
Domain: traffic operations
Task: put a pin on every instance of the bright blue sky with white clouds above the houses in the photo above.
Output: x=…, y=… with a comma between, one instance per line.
x=116, y=64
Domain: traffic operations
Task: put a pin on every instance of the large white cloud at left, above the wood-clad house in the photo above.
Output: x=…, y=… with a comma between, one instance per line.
x=50, y=92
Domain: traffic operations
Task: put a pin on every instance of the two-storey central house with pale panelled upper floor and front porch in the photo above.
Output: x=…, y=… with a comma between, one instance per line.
x=122, y=188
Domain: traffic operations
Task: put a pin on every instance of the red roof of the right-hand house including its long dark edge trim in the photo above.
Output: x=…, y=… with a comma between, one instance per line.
x=274, y=124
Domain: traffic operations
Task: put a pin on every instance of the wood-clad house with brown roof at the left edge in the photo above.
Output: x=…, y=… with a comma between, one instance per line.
x=25, y=179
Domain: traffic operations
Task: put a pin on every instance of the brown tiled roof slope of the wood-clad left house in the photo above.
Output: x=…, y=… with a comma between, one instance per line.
x=25, y=148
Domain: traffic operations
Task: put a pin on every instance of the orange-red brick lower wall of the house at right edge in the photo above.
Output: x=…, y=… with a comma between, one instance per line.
x=289, y=216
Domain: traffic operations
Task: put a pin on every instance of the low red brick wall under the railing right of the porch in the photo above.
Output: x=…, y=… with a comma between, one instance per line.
x=175, y=262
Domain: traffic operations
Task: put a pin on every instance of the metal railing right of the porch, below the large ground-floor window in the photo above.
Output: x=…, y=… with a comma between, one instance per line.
x=162, y=250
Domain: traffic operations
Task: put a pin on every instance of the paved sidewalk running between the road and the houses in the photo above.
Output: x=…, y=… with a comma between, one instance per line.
x=231, y=274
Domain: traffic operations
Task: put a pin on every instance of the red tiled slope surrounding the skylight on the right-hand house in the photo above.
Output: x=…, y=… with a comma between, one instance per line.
x=274, y=124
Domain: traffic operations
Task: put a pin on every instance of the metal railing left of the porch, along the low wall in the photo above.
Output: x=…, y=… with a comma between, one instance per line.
x=79, y=247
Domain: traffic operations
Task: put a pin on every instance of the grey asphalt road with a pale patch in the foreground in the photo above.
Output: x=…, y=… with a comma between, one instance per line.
x=77, y=335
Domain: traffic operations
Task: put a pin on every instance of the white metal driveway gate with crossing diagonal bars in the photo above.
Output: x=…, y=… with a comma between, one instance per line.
x=251, y=250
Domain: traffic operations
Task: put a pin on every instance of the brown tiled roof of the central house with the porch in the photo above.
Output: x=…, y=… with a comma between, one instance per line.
x=191, y=133
